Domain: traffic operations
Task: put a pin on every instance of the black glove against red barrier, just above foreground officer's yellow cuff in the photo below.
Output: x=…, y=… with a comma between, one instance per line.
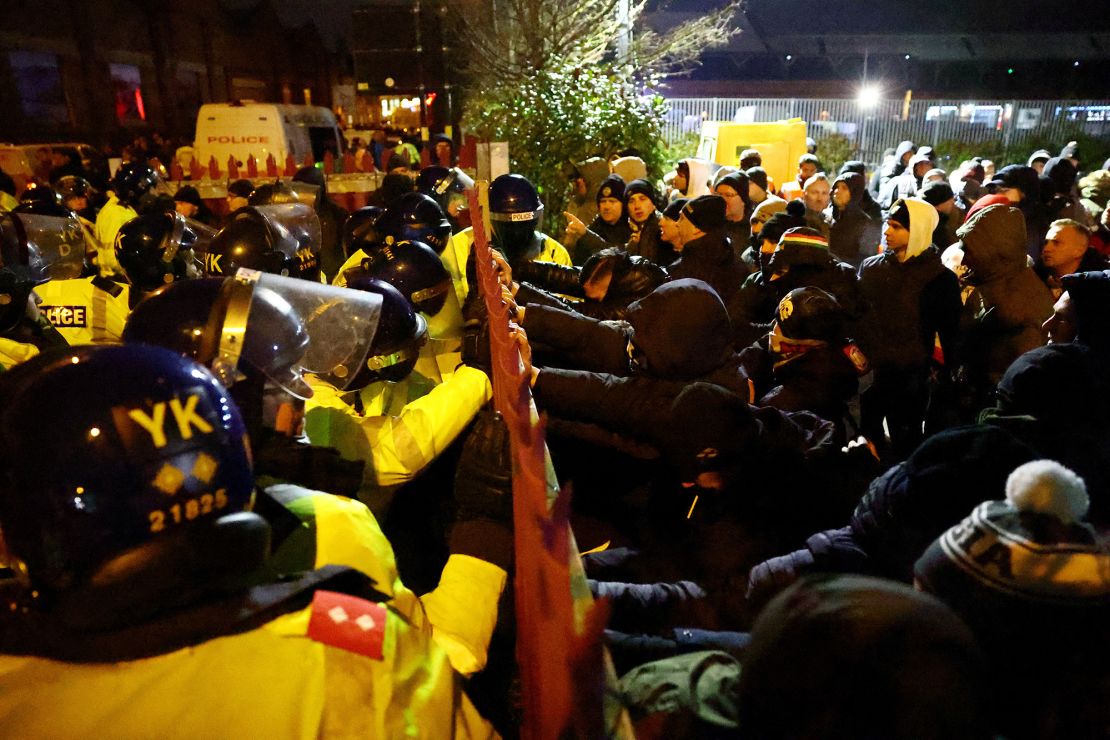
x=485, y=477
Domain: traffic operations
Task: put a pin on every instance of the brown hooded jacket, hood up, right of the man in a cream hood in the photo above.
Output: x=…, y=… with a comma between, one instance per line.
x=1013, y=303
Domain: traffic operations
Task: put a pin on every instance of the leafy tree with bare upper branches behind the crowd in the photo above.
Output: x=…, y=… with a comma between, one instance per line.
x=566, y=80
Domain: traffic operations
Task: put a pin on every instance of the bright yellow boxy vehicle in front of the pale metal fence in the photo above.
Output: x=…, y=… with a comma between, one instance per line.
x=781, y=144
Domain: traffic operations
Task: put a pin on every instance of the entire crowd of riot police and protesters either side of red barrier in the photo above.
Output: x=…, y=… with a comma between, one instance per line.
x=839, y=449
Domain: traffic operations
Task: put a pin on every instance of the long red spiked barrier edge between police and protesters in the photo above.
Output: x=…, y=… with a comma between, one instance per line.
x=562, y=671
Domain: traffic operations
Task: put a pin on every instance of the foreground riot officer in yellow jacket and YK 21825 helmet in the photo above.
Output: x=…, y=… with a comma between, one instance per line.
x=143, y=611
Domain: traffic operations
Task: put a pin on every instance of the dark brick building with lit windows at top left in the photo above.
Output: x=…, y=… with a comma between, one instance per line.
x=105, y=70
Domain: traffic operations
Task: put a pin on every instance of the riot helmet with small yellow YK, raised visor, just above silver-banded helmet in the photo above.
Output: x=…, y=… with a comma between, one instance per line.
x=281, y=240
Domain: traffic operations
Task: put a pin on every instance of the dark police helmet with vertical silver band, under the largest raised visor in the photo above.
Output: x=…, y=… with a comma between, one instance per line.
x=194, y=318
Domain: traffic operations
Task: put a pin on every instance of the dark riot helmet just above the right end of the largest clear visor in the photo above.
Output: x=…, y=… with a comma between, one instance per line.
x=412, y=268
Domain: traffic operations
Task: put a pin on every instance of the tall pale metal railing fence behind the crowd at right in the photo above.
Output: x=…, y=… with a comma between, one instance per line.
x=871, y=130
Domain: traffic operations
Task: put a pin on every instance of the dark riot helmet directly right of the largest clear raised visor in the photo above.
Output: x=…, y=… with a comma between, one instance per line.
x=401, y=333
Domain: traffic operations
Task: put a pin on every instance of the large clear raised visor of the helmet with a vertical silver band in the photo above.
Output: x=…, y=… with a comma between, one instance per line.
x=340, y=325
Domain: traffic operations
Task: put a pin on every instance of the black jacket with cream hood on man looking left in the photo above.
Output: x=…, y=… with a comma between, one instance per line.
x=909, y=302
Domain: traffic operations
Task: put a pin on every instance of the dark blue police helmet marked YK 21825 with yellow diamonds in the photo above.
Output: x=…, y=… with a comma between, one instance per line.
x=112, y=460
